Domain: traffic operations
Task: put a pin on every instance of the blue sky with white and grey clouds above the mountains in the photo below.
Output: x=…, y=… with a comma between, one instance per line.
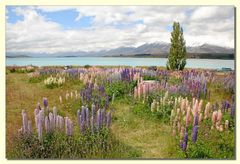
x=59, y=29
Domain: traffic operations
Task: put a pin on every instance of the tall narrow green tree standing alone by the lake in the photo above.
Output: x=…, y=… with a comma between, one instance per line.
x=177, y=54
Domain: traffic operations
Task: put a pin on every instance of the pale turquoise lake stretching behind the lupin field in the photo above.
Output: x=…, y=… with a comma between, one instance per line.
x=115, y=61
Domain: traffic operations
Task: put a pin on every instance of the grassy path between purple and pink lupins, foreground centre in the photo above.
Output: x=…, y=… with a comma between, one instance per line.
x=151, y=138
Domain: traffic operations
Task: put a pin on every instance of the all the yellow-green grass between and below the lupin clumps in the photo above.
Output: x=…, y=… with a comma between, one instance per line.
x=133, y=135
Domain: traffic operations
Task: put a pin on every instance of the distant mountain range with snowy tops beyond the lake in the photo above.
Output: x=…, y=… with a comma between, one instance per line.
x=157, y=49
